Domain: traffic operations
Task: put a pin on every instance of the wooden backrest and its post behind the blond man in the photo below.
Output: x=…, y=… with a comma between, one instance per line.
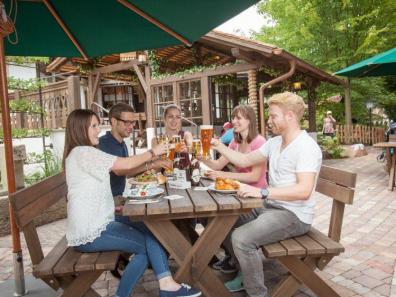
x=339, y=185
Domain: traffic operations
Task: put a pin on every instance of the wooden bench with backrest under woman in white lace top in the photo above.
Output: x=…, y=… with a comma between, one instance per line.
x=63, y=267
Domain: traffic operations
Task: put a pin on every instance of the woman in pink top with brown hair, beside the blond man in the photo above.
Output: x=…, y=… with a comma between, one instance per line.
x=245, y=140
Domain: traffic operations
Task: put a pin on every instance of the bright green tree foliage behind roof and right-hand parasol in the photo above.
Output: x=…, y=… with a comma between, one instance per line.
x=335, y=34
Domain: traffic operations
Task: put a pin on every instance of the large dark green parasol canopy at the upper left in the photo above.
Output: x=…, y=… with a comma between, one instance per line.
x=105, y=27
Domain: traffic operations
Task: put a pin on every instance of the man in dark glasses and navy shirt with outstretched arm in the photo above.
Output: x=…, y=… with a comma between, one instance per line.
x=121, y=116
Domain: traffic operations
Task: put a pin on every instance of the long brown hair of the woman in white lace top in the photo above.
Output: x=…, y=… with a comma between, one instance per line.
x=76, y=134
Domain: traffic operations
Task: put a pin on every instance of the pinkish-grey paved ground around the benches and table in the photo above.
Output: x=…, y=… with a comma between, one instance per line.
x=367, y=268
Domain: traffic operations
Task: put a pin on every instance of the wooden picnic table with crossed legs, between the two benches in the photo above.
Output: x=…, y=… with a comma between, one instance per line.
x=193, y=258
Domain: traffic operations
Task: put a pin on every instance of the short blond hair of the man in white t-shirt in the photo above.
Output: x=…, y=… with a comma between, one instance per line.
x=290, y=102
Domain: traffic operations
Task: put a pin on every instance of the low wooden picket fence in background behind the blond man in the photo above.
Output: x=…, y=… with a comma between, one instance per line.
x=349, y=134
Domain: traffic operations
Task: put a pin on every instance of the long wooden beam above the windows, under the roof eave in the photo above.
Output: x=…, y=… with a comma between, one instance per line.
x=212, y=72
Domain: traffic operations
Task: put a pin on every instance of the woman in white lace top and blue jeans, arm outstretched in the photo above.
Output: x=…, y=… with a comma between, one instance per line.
x=90, y=210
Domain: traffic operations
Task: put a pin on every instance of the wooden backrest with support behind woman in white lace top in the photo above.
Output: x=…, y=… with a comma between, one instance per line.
x=31, y=202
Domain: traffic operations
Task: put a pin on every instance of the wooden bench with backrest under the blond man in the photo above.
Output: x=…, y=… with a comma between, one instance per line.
x=303, y=254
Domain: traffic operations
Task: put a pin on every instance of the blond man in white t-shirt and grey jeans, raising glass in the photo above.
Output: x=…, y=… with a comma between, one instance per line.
x=288, y=206
